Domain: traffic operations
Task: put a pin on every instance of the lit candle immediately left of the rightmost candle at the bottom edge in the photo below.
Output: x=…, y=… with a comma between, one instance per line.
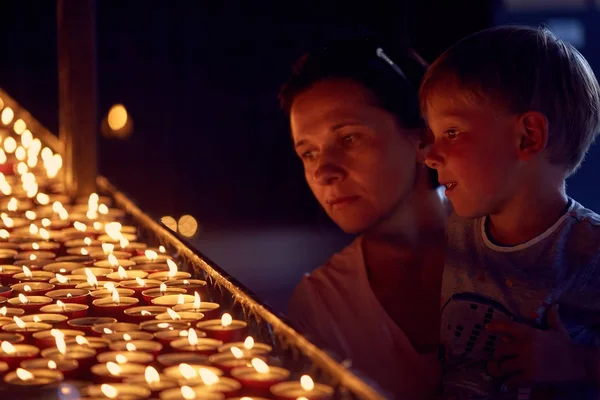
x=259, y=378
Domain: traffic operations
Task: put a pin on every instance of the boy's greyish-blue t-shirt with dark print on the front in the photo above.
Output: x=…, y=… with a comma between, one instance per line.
x=484, y=282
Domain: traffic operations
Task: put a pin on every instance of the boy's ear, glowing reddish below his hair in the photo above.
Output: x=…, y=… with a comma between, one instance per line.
x=533, y=134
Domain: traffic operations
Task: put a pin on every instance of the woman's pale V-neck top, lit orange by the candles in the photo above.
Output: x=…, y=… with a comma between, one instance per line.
x=335, y=308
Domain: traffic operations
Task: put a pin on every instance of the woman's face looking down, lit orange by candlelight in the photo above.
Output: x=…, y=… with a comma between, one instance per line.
x=359, y=163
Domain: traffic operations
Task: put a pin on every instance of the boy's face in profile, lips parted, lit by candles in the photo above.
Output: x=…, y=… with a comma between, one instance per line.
x=475, y=151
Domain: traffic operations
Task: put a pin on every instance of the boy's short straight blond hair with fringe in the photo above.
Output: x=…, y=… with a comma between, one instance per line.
x=525, y=69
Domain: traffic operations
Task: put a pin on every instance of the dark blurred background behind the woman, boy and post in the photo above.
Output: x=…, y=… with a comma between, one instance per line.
x=200, y=81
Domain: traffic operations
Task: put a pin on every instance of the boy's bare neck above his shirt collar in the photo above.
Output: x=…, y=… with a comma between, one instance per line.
x=527, y=215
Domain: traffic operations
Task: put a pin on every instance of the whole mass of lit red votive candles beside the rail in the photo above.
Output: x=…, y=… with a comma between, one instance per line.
x=82, y=298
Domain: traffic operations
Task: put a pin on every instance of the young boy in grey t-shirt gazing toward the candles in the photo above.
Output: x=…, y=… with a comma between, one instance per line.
x=513, y=111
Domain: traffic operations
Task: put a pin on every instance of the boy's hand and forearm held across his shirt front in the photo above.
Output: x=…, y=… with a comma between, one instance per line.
x=529, y=355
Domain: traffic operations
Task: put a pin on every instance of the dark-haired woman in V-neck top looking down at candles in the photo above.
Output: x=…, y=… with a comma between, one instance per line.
x=356, y=127
